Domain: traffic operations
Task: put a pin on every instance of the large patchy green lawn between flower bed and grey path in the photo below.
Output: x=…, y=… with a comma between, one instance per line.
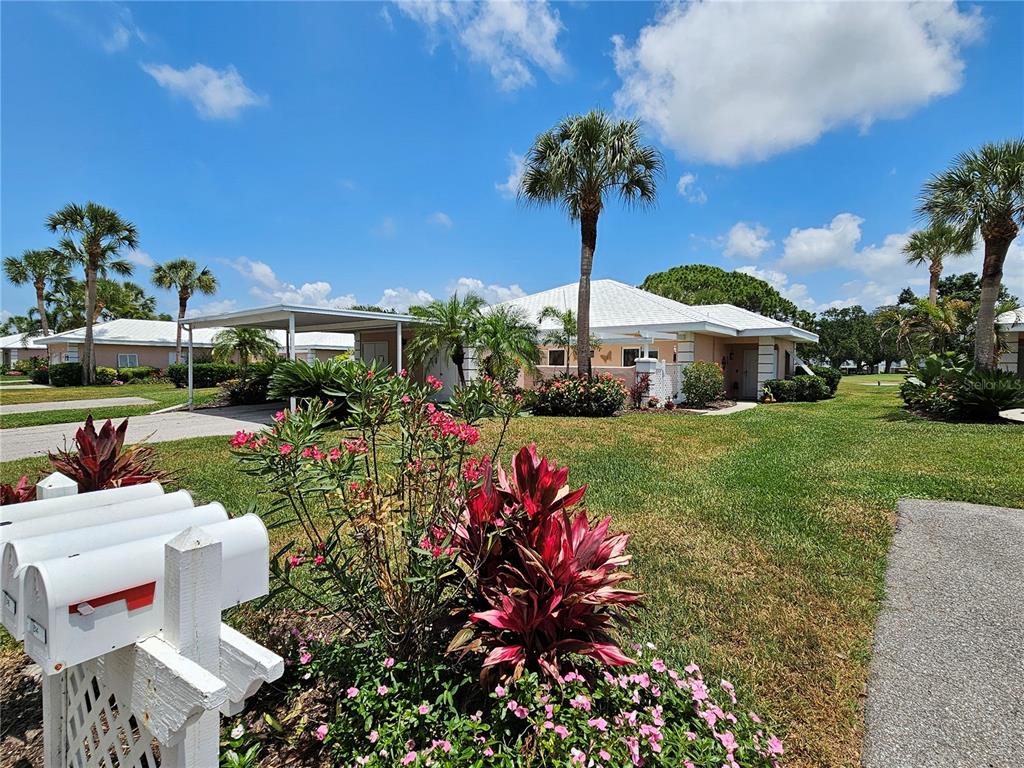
x=760, y=538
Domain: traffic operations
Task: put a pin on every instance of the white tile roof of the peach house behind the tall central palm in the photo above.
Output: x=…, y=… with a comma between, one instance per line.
x=617, y=307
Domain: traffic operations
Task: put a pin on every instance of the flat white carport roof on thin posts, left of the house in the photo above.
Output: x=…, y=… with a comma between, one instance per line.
x=307, y=319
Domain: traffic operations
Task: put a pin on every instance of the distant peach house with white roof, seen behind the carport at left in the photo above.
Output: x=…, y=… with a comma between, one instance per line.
x=129, y=344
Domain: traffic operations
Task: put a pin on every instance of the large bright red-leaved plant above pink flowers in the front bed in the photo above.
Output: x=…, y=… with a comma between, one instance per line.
x=546, y=582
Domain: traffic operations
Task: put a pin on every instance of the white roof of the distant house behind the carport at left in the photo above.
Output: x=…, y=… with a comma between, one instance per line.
x=162, y=333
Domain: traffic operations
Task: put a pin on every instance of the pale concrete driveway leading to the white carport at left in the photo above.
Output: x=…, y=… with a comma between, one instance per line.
x=26, y=442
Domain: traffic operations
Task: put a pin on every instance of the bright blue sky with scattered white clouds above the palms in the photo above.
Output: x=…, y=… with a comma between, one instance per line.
x=332, y=153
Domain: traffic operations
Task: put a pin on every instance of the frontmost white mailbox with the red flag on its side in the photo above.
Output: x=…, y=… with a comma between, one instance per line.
x=80, y=608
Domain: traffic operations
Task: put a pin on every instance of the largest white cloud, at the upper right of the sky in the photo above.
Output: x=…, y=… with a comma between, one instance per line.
x=732, y=82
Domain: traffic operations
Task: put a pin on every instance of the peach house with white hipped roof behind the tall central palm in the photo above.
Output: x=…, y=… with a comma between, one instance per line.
x=633, y=324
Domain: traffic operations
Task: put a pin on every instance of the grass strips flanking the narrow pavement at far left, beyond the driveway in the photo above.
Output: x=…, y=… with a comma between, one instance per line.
x=164, y=395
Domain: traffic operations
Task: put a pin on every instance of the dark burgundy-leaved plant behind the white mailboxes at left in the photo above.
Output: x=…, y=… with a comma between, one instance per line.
x=102, y=460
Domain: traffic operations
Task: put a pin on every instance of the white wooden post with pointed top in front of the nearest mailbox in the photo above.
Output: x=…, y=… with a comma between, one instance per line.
x=192, y=626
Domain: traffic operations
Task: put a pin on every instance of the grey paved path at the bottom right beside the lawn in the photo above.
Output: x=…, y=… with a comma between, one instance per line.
x=947, y=679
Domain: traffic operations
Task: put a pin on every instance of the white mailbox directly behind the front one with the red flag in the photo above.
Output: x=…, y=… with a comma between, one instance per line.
x=17, y=554
